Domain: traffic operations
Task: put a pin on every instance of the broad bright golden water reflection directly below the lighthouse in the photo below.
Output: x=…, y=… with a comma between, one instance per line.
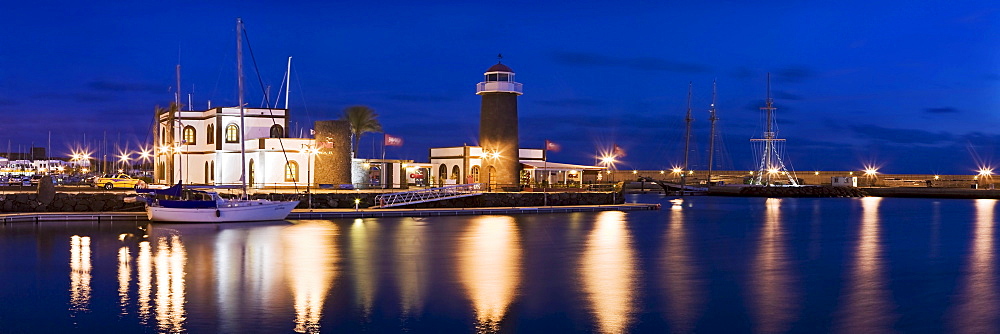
x=489, y=264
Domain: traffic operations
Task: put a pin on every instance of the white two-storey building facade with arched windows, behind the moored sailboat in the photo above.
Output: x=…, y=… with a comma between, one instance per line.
x=203, y=147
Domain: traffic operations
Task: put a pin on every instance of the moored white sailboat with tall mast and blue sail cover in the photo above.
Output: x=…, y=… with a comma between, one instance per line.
x=208, y=206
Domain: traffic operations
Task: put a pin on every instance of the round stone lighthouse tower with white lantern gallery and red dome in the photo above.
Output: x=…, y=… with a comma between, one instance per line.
x=498, y=127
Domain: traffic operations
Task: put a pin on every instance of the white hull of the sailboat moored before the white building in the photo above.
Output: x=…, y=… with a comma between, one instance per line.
x=236, y=211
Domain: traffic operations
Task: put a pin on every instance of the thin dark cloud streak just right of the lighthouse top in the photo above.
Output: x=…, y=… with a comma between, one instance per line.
x=639, y=63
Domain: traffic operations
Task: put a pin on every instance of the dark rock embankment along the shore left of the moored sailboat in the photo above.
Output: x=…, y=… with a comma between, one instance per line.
x=63, y=202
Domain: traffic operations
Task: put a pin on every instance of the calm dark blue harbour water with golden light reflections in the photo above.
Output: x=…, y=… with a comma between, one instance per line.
x=707, y=264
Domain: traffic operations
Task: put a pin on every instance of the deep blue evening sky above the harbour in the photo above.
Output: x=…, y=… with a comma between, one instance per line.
x=913, y=88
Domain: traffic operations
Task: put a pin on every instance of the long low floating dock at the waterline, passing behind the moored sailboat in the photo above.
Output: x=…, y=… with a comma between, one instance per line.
x=299, y=214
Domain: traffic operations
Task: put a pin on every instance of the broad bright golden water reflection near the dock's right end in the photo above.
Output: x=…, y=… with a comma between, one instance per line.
x=608, y=271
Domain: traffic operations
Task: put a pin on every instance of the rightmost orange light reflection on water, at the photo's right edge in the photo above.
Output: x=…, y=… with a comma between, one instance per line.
x=977, y=309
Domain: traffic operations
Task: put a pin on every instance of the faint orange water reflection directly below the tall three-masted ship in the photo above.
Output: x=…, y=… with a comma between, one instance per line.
x=773, y=282
